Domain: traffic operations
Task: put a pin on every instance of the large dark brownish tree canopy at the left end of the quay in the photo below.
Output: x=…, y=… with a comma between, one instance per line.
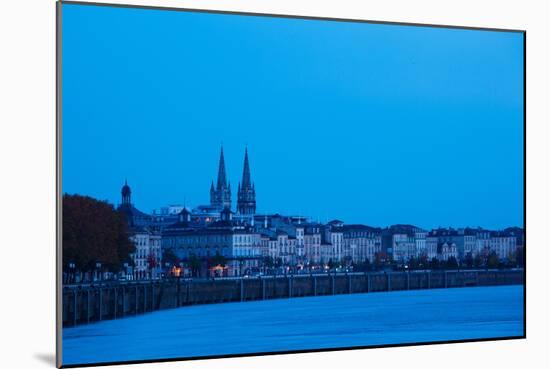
x=93, y=231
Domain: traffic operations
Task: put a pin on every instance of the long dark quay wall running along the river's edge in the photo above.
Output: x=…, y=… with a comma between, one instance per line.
x=88, y=303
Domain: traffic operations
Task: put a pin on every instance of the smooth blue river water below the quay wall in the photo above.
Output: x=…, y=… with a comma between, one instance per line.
x=301, y=323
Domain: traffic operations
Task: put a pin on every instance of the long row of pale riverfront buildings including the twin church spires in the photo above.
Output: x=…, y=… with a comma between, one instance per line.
x=248, y=242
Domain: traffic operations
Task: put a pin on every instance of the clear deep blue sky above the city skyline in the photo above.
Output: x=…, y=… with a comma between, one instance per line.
x=369, y=123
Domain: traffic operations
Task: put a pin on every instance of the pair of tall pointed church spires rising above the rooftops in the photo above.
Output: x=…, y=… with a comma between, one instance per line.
x=220, y=195
